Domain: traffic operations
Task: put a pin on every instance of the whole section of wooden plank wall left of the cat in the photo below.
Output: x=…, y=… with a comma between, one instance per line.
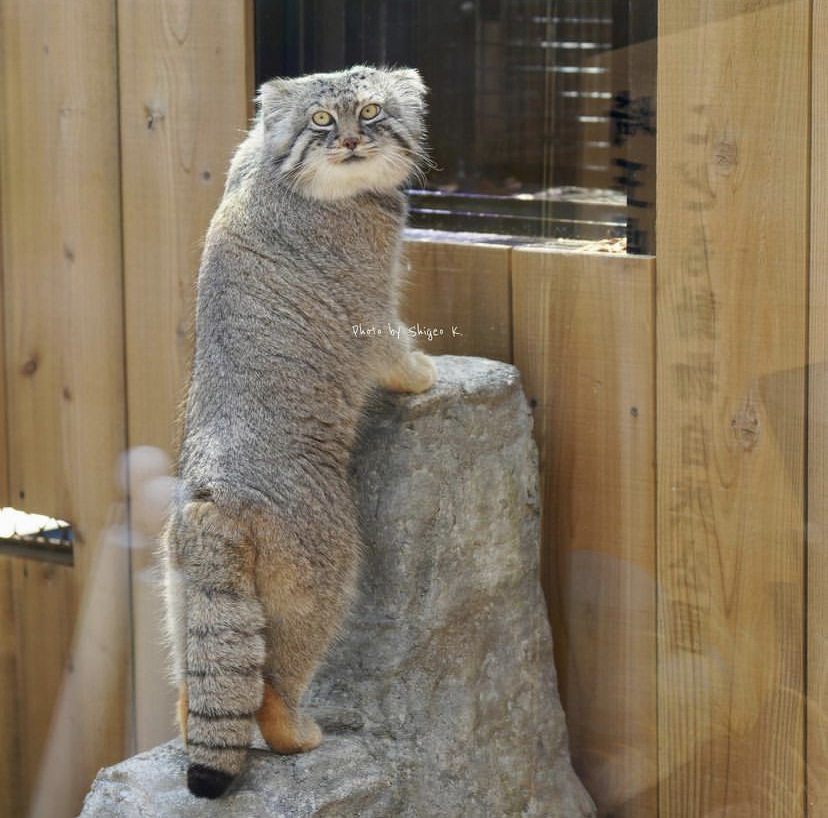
x=118, y=119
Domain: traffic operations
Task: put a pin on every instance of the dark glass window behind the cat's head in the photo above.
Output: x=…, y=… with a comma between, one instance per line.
x=542, y=115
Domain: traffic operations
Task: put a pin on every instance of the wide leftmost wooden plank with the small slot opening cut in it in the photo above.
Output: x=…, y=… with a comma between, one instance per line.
x=63, y=361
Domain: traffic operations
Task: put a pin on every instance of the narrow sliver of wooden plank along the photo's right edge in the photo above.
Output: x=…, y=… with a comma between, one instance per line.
x=817, y=726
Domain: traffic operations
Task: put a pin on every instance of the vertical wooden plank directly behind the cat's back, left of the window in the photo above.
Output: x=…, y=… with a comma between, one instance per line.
x=184, y=106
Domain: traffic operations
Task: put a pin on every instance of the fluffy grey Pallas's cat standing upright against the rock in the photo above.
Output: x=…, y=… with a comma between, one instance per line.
x=262, y=544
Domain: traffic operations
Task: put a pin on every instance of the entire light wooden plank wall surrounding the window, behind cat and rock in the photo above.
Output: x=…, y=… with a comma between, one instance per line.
x=680, y=402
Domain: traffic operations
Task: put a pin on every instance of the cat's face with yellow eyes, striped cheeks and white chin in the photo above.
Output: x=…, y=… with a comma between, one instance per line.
x=336, y=135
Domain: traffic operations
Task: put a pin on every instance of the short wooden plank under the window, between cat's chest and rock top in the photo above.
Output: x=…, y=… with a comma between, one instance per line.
x=463, y=290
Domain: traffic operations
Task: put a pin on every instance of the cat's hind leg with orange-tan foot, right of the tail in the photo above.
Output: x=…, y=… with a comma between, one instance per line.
x=306, y=582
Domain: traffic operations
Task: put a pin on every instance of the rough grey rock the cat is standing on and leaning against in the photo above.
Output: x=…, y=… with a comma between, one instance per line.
x=440, y=700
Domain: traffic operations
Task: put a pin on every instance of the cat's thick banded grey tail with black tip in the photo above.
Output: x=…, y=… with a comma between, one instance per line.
x=225, y=647
